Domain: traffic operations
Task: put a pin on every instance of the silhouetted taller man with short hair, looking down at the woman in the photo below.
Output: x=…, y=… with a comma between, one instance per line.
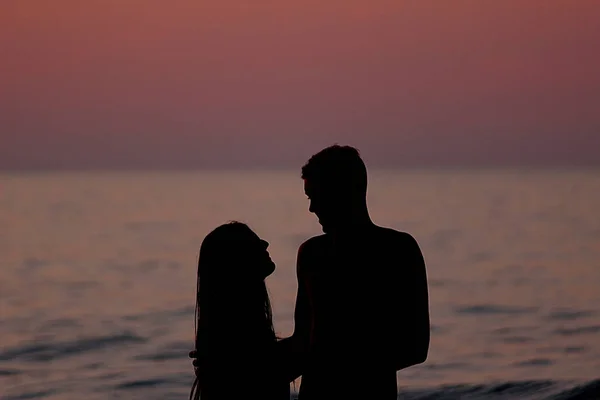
x=362, y=307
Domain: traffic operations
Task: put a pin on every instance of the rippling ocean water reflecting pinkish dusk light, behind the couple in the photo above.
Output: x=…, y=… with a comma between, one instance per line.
x=97, y=277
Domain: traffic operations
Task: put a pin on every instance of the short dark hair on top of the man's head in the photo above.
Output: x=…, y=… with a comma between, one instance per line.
x=339, y=167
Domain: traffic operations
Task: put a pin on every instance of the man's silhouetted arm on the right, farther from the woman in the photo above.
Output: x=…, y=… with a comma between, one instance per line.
x=413, y=327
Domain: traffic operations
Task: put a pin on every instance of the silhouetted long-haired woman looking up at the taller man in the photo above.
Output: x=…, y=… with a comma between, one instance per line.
x=235, y=341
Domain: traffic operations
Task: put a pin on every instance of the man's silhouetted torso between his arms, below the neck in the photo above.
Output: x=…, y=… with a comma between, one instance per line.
x=351, y=285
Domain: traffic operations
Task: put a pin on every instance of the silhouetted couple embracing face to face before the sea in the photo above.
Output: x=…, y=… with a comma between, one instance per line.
x=361, y=311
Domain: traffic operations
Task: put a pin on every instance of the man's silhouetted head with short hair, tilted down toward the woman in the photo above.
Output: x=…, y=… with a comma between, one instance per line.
x=335, y=181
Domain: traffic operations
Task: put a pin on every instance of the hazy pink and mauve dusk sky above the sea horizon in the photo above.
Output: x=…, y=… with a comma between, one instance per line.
x=159, y=84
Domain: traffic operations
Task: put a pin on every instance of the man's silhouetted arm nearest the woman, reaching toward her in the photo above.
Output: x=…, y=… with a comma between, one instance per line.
x=292, y=350
